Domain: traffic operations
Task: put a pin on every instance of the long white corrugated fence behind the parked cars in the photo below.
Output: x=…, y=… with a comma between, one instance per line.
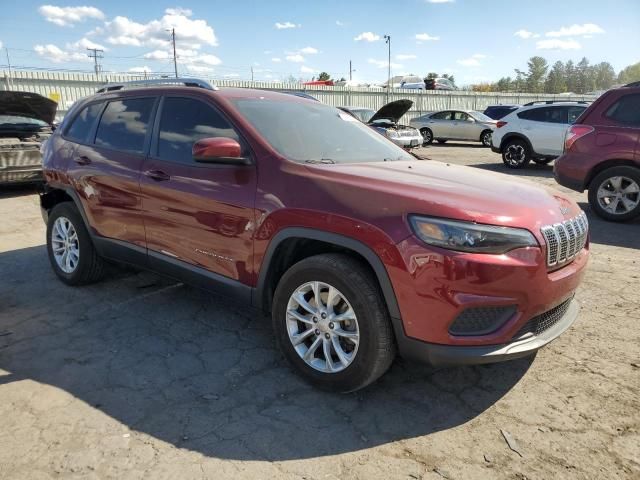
x=67, y=87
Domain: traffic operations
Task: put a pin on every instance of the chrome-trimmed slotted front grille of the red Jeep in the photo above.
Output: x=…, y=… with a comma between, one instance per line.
x=565, y=240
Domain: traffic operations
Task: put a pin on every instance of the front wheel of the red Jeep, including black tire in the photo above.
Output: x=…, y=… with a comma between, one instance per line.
x=357, y=292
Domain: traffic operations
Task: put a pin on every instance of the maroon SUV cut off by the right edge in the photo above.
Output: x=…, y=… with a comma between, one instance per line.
x=602, y=154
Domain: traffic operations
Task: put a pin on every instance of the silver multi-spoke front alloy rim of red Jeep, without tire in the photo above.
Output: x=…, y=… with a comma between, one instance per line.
x=322, y=327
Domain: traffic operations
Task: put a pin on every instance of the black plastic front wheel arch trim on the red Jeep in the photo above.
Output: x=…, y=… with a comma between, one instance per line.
x=291, y=245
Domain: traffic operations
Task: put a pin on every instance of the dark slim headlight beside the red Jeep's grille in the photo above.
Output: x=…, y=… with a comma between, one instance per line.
x=470, y=237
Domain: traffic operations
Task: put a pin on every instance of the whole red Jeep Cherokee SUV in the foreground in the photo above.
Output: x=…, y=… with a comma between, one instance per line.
x=356, y=248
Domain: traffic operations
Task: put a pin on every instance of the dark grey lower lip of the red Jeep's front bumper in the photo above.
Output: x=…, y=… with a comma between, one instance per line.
x=443, y=355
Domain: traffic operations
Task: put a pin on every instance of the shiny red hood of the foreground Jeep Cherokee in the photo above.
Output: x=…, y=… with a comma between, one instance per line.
x=450, y=191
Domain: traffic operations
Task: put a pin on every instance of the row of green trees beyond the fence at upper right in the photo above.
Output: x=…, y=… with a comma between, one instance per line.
x=581, y=77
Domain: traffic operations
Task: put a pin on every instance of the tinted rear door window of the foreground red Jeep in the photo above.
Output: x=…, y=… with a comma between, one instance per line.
x=125, y=124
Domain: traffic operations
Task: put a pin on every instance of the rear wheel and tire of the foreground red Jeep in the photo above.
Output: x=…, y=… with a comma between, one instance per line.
x=84, y=266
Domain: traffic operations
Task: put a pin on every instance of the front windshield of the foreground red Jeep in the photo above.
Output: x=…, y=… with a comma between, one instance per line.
x=313, y=132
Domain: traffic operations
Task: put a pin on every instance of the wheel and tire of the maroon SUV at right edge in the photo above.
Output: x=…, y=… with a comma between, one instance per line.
x=620, y=185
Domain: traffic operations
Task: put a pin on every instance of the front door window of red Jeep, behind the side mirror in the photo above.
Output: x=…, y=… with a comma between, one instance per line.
x=184, y=121
